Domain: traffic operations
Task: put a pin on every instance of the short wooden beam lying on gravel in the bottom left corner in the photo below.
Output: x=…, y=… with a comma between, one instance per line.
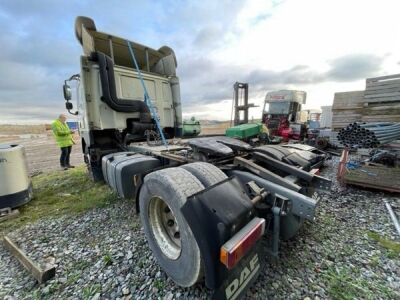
x=39, y=274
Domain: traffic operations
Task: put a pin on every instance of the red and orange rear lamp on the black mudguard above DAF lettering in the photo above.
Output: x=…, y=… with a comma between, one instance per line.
x=238, y=246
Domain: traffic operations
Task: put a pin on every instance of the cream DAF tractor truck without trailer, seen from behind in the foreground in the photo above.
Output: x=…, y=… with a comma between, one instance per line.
x=204, y=202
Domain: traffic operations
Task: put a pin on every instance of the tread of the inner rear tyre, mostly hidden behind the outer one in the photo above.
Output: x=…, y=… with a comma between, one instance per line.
x=208, y=174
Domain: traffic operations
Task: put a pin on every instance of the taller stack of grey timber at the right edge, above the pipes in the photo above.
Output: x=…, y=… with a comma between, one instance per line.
x=382, y=99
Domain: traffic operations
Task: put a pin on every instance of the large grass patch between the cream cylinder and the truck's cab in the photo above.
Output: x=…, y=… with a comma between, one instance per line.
x=59, y=193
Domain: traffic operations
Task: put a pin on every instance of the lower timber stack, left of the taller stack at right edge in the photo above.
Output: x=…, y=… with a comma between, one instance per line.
x=347, y=108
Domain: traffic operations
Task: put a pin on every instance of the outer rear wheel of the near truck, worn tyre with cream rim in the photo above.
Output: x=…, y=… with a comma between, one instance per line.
x=170, y=238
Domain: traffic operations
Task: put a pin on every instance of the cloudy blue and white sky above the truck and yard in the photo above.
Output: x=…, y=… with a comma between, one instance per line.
x=318, y=46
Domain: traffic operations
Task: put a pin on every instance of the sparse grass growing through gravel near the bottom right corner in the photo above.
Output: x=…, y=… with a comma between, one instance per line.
x=347, y=284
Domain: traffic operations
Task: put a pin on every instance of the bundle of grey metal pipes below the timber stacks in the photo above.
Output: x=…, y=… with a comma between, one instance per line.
x=369, y=135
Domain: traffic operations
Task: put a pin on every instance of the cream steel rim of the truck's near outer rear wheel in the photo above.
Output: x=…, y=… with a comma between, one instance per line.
x=165, y=228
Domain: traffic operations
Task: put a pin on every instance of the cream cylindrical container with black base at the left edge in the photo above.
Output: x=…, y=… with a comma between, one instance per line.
x=15, y=183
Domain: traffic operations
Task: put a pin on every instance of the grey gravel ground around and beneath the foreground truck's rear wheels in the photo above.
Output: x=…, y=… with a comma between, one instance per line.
x=103, y=254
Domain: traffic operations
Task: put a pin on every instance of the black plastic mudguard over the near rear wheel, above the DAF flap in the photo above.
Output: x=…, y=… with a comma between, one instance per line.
x=214, y=216
